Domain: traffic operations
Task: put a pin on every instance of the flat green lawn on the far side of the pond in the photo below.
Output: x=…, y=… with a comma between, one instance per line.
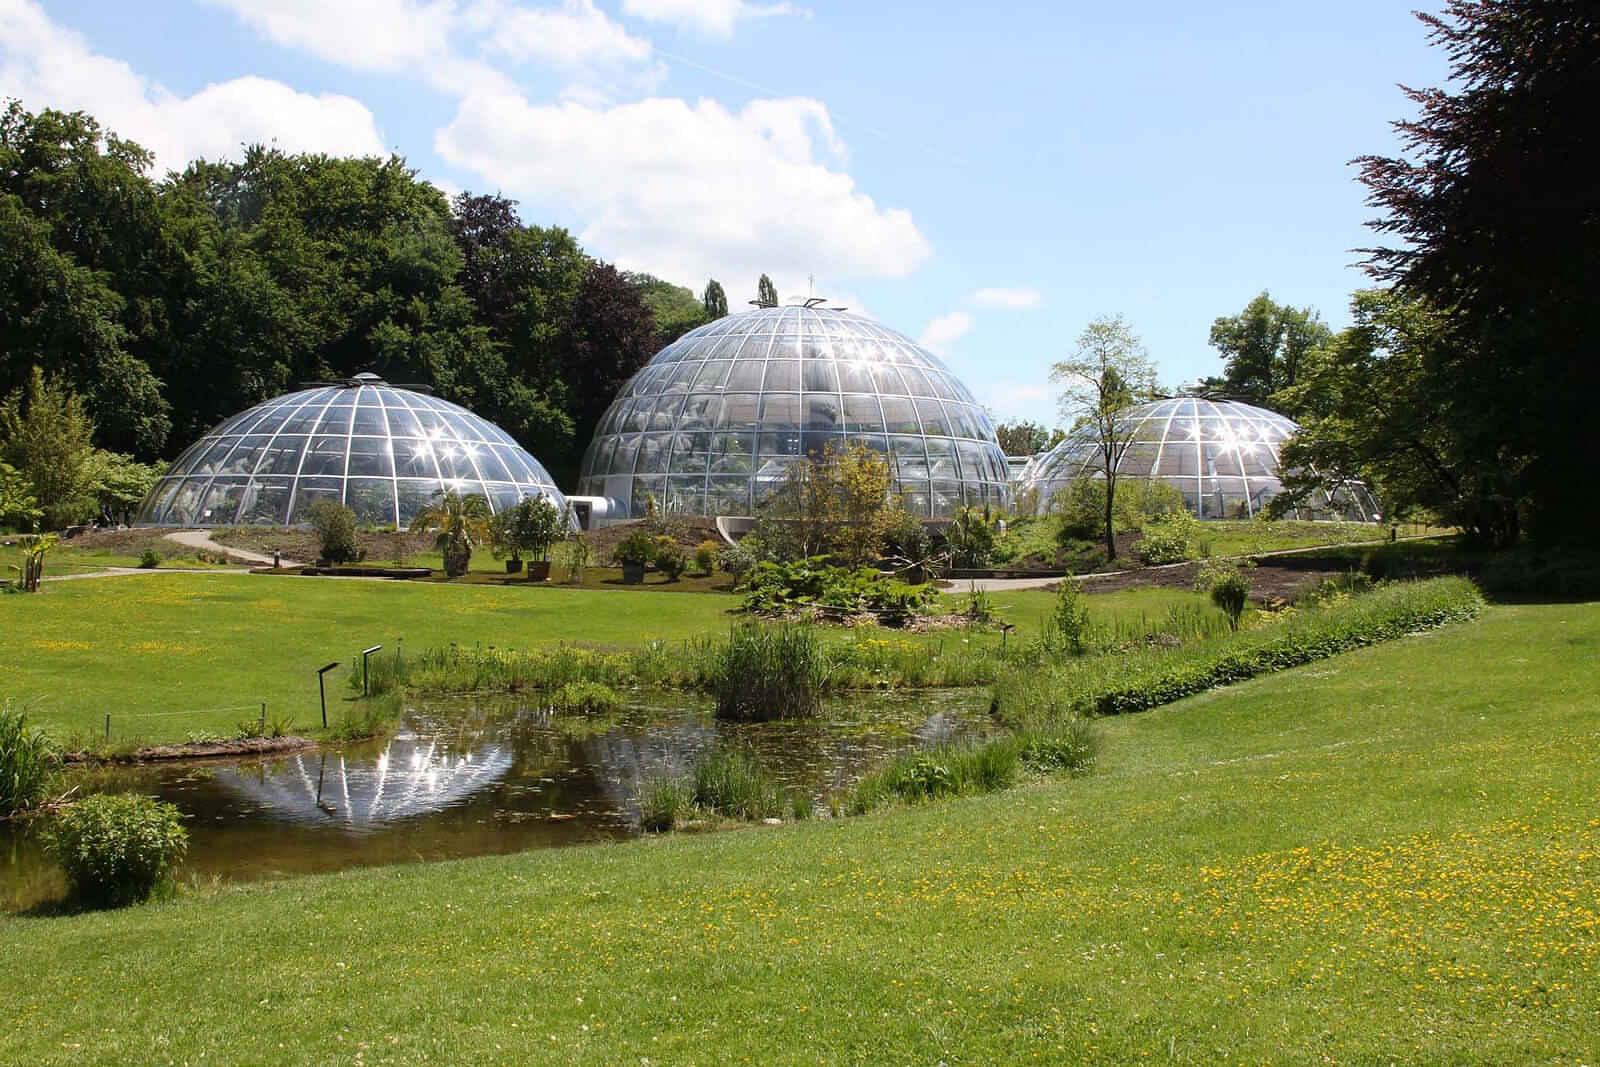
x=175, y=655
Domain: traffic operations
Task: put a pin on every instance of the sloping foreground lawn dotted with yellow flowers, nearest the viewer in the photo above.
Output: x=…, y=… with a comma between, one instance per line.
x=1390, y=857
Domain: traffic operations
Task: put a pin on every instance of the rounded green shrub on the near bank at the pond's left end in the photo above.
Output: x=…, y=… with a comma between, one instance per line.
x=118, y=849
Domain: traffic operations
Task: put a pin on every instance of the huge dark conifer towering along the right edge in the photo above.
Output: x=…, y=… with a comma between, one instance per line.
x=1495, y=222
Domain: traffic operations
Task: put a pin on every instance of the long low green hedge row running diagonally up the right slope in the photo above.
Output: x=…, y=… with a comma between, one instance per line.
x=1114, y=685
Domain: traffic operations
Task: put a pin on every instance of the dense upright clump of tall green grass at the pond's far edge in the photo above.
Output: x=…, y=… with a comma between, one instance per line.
x=770, y=673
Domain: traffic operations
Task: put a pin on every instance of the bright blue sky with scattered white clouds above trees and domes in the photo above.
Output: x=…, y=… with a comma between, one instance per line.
x=985, y=180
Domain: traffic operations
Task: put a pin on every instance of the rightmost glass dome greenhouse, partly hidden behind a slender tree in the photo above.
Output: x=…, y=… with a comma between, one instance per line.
x=1222, y=455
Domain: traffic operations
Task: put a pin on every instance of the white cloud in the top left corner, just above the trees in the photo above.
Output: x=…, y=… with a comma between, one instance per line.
x=49, y=66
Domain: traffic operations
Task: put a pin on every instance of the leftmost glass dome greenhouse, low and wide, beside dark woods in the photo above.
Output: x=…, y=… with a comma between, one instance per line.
x=382, y=450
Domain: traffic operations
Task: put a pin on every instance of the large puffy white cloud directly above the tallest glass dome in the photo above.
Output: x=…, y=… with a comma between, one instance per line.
x=690, y=191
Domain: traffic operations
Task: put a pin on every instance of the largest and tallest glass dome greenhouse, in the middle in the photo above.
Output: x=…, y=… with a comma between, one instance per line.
x=714, y=422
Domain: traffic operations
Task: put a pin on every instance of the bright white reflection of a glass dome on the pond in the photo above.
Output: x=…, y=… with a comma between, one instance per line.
x=409, y=778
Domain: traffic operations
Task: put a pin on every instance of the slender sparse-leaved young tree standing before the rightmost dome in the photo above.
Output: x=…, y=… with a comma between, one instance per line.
x=1106, y=377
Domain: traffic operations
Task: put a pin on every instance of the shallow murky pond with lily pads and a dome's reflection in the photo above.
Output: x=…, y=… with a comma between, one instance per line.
x=482, y=777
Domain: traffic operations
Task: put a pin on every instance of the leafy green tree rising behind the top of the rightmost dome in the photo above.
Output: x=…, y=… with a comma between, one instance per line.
x=1265, y=348
